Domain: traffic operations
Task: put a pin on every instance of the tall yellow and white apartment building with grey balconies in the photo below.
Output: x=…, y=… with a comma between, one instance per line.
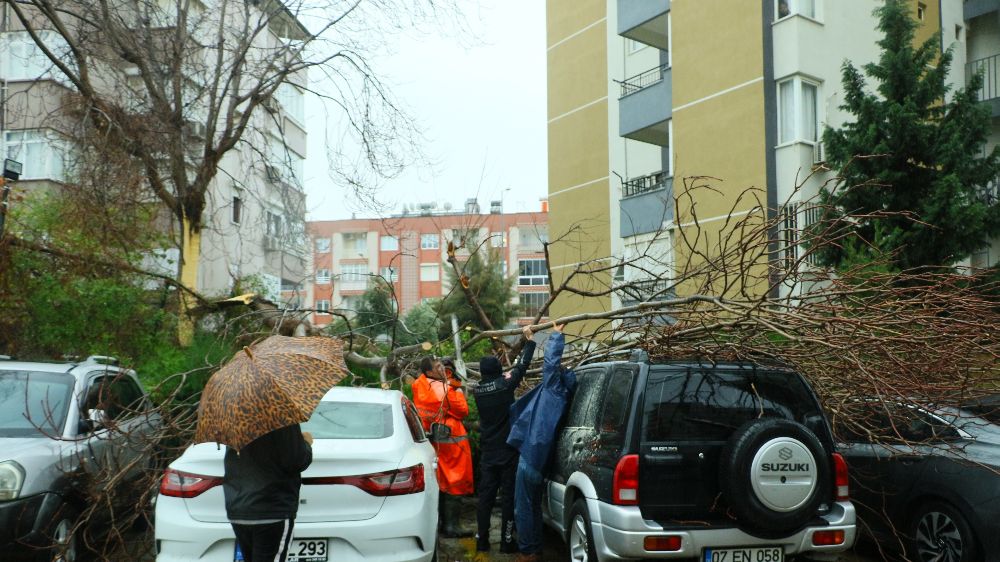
x=645, y=93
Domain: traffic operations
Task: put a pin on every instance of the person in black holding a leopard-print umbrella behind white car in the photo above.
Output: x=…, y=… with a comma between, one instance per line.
x=254, y=405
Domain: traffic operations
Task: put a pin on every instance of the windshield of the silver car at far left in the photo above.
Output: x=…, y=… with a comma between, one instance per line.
x=34, y=404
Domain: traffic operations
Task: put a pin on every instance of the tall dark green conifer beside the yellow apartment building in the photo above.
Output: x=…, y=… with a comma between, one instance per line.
x=913, y=166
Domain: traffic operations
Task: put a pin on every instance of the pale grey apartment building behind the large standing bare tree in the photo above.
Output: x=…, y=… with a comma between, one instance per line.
x=254, y=220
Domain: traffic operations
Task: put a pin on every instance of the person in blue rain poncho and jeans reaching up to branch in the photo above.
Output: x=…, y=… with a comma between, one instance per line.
x=534, y=419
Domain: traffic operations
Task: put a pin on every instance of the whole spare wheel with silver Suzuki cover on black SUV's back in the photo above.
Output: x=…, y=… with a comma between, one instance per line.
x=774, y=474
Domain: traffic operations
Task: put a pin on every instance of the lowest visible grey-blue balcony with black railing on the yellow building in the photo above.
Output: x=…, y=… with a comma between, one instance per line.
x=647, y=202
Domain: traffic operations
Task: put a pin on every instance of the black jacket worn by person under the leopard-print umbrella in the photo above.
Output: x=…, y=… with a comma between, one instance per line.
x=263, y=480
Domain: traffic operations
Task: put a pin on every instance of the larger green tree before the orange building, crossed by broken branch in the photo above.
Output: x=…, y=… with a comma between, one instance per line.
x=493, y=291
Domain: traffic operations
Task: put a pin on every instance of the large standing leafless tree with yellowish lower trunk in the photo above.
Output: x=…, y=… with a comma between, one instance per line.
x=172, y=93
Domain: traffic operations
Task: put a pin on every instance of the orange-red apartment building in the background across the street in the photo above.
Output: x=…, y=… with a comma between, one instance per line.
x=410, y=251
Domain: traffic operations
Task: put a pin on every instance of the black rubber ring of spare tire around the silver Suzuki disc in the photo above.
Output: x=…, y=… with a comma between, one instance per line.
x=735, y=477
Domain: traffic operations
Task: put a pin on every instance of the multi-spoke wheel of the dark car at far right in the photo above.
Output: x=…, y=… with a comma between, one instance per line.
x=940, y=533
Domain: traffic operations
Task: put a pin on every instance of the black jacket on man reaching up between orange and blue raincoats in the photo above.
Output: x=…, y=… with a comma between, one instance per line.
x=493, y=399
